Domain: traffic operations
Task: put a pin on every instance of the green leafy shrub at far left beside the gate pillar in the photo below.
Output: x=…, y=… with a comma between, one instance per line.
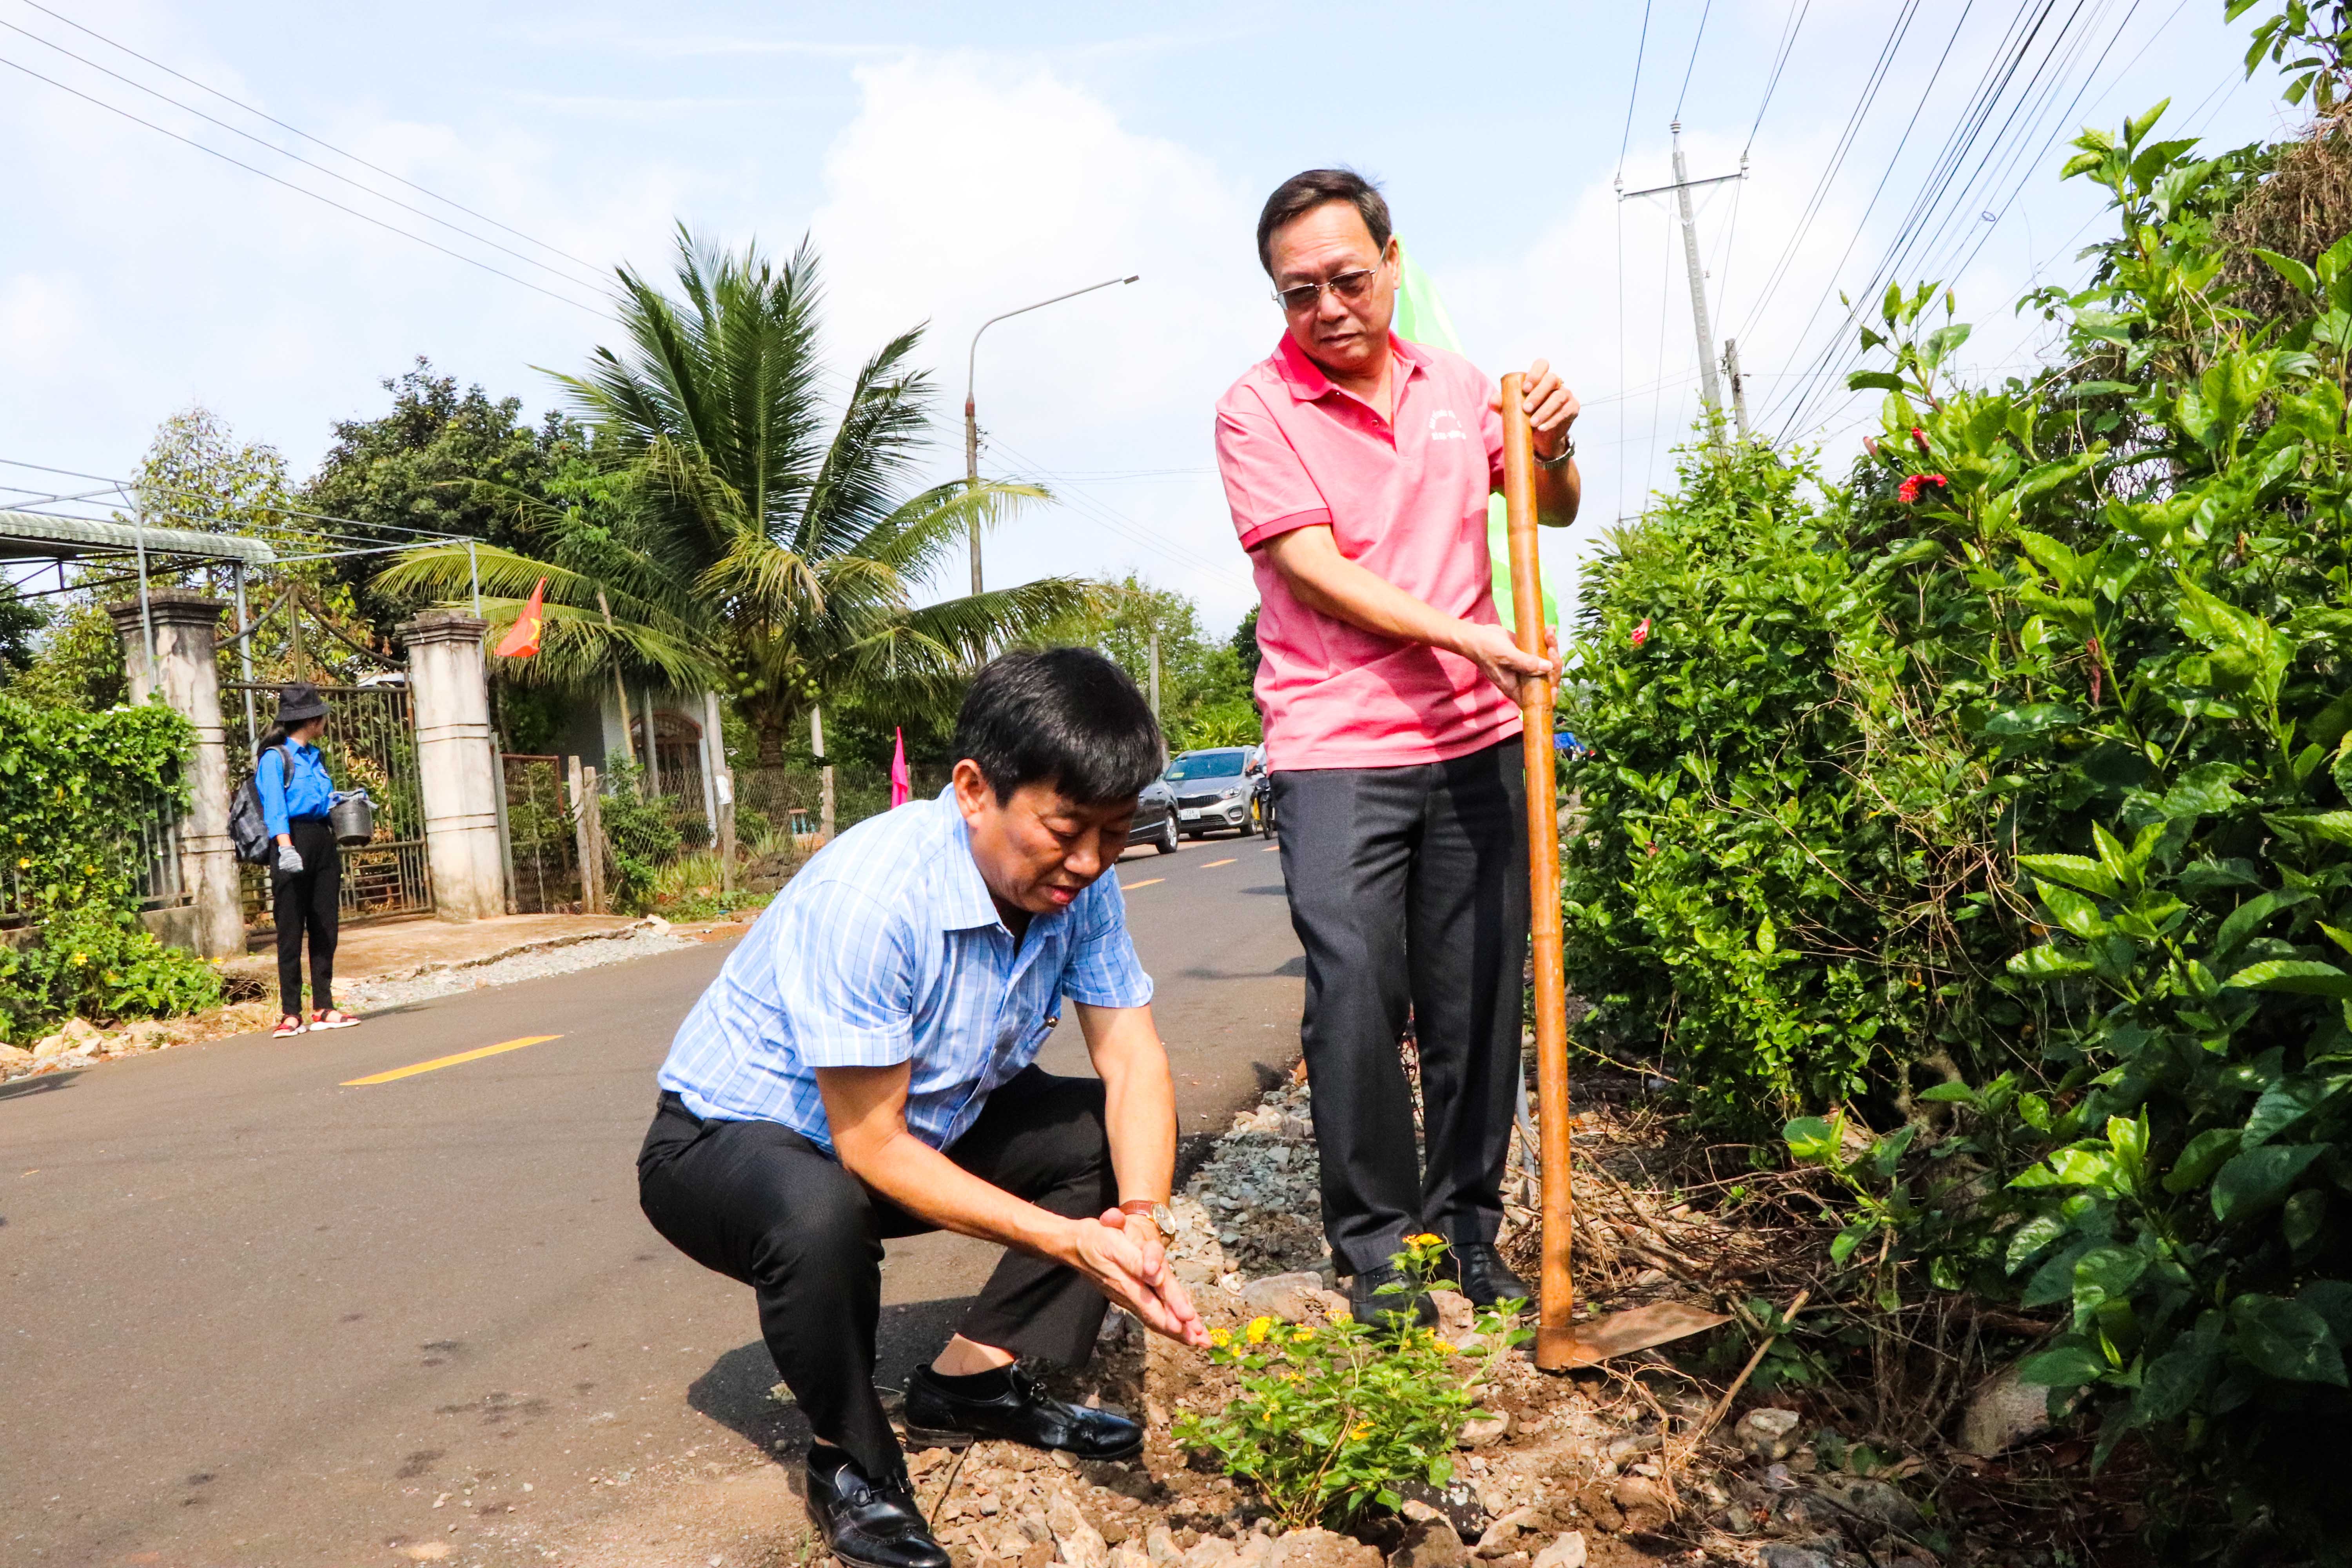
x=76, y=789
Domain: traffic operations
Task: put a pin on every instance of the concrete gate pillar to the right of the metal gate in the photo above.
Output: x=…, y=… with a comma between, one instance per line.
x=450, y=704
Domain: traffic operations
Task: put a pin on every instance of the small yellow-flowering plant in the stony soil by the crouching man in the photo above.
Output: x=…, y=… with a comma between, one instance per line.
x=1332, y=1421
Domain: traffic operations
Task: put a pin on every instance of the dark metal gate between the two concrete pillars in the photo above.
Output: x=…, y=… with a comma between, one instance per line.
x=370, y=744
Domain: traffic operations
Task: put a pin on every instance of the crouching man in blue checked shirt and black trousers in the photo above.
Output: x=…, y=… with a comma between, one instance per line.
x=864, y=1068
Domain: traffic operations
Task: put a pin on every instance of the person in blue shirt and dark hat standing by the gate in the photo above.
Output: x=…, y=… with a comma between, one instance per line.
x=307, y=883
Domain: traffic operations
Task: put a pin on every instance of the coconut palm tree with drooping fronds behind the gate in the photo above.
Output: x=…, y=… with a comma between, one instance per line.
x=730, y=537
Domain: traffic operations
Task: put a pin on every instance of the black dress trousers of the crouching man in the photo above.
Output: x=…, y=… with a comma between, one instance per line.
x=763, y=1205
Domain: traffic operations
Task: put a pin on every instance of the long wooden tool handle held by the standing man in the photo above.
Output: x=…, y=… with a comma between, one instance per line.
x=1553, y=1325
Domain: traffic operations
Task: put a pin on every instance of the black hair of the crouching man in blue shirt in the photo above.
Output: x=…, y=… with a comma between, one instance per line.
x=1067, y=718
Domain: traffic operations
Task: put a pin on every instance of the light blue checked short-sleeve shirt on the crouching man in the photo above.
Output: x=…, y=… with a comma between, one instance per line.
x=886, y=951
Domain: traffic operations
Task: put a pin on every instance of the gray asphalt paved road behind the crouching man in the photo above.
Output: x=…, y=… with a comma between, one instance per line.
x=258, y=1315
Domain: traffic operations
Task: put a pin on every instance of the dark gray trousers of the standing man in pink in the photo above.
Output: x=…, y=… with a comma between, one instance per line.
x=1410, y=890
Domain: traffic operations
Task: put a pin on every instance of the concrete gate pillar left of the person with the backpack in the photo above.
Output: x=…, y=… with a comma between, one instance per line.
x=189, y=683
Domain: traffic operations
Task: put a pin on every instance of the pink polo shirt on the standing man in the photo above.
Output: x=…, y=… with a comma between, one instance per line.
x=1408, y=502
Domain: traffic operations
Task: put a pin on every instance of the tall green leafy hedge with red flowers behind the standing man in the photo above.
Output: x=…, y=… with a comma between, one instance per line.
x=2026, y=765
